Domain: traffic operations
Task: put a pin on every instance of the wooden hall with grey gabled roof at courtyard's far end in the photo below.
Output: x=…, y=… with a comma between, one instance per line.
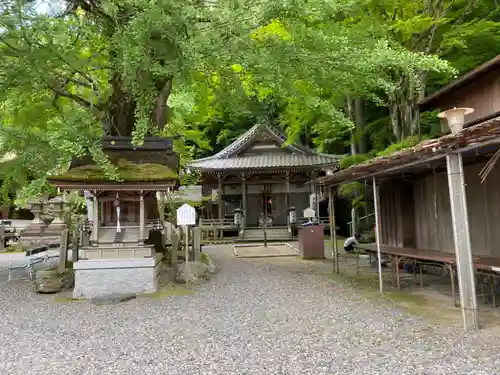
x=263, y=177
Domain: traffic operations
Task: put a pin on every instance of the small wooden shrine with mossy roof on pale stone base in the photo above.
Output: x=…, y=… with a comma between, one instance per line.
x=118, y=258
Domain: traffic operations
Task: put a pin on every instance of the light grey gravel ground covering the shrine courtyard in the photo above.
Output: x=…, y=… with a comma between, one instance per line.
x=254, y=317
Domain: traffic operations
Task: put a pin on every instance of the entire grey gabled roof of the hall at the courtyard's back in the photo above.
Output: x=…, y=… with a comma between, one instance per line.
x=297, y=156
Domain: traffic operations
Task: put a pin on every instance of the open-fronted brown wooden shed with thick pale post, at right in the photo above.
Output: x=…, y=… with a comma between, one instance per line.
x=443, y=195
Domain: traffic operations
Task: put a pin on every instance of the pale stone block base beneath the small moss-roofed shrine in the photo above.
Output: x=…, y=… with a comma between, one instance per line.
x=103, y=277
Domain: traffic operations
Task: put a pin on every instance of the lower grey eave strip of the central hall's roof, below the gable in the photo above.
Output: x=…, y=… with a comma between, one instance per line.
x=266, y=161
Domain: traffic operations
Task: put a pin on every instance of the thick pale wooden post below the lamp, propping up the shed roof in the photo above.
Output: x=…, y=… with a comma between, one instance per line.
x=460, y=219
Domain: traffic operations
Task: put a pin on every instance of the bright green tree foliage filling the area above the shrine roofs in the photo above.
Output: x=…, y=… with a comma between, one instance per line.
x=205, y=71
